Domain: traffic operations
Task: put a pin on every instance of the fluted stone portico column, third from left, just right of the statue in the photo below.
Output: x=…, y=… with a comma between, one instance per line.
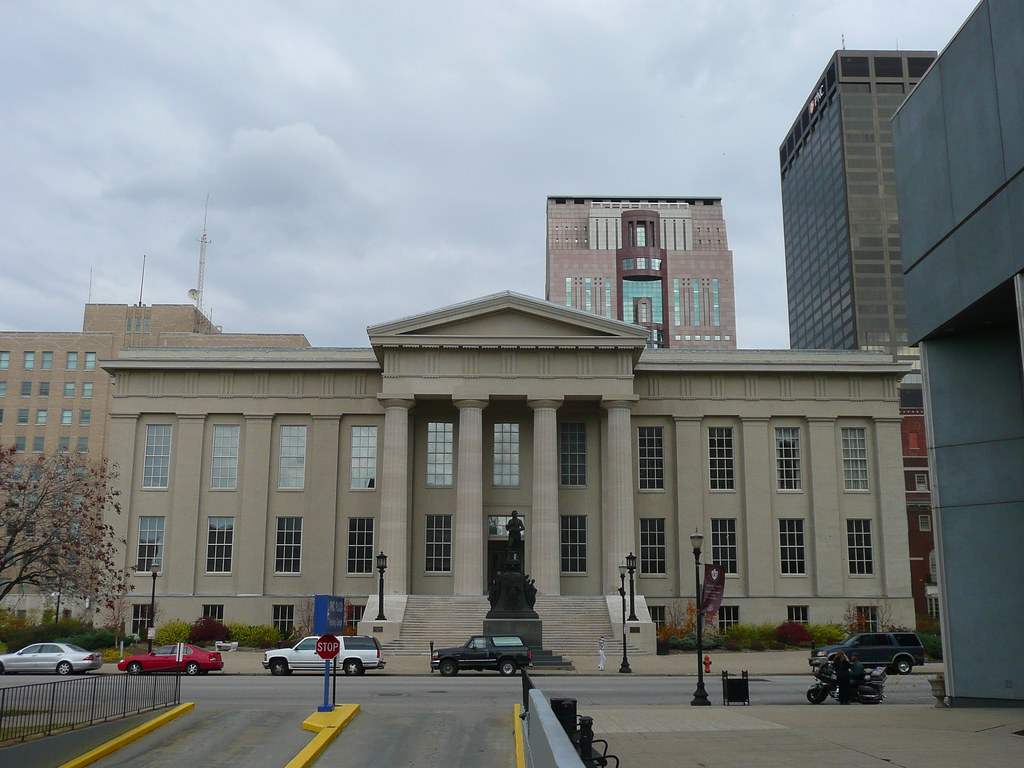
x=544, y=533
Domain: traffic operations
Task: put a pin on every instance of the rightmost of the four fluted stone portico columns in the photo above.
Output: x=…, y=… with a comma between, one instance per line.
x=617, y=524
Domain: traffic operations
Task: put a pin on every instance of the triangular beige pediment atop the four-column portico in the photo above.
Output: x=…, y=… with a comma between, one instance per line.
x=508, y=319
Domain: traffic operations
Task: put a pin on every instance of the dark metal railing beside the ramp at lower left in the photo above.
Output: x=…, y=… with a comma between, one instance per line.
x=42, y=709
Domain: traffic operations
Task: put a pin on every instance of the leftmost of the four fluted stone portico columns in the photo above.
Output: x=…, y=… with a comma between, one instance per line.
x=395, y=525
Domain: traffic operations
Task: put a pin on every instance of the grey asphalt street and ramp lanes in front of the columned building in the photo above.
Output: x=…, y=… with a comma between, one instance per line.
x=465, y=721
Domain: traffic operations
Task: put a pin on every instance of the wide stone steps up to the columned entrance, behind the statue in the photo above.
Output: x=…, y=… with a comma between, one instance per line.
x=572, y=626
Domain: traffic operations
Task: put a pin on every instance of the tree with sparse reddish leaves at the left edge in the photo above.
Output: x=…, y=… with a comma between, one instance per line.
x=53, y=531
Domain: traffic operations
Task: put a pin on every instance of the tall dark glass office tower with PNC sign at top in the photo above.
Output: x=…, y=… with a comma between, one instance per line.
x=843, y=260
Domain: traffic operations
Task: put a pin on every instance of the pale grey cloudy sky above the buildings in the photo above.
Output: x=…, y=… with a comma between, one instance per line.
x=369, y=161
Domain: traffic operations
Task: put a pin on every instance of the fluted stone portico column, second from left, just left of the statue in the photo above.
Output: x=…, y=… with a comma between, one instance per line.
x=468, y=549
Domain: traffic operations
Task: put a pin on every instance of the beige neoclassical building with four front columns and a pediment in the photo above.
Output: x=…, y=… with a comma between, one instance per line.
x=253, y=479
